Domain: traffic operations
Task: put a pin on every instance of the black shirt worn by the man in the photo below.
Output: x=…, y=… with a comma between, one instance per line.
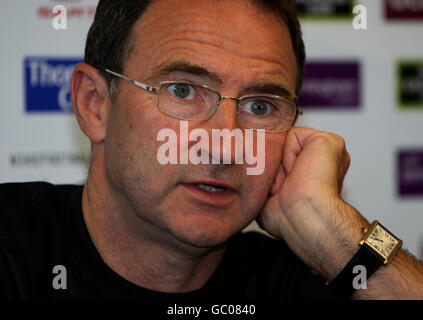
x=42, y=226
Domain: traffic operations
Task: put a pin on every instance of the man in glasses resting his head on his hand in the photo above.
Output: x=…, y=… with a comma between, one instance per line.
x=141, y=229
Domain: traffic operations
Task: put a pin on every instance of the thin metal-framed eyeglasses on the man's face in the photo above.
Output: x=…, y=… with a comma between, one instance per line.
x=189, y=101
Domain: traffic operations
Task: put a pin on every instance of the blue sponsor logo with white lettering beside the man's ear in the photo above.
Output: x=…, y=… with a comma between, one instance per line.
x=47, y=84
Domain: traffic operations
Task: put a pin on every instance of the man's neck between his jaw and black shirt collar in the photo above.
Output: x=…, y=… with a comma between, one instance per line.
x=137, y=250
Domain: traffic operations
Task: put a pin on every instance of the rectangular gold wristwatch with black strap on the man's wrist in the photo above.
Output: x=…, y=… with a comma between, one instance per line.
x=378, y=247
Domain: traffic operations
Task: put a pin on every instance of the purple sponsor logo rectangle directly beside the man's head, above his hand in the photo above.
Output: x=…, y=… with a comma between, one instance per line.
x=331, y=85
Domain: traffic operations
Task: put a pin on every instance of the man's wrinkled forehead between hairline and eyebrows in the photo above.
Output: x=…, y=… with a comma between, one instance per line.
x=223, y=36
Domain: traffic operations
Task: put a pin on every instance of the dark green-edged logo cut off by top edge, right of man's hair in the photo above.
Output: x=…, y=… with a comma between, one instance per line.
x=328, y=9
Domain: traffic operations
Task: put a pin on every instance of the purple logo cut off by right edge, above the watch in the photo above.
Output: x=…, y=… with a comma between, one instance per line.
x=410, y=172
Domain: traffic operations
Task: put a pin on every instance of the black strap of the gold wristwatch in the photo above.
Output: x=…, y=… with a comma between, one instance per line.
x=365, y=256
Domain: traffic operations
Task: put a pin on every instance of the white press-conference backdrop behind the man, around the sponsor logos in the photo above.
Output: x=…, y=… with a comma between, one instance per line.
x=49, y=145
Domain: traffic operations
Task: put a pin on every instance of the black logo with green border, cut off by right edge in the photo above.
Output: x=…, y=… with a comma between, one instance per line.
x=410, y=84
